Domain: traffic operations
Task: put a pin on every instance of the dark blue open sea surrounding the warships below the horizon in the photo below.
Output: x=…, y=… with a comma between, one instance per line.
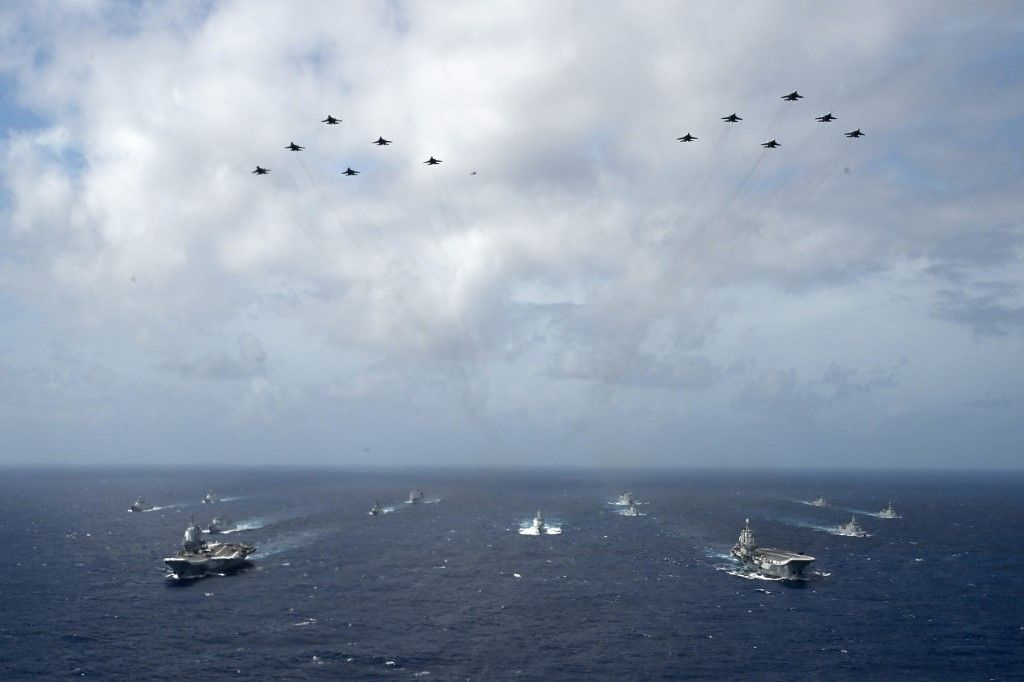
x=451, y=590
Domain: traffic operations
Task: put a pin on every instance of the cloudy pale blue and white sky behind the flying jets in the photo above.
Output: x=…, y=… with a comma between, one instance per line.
x=572, y=286
